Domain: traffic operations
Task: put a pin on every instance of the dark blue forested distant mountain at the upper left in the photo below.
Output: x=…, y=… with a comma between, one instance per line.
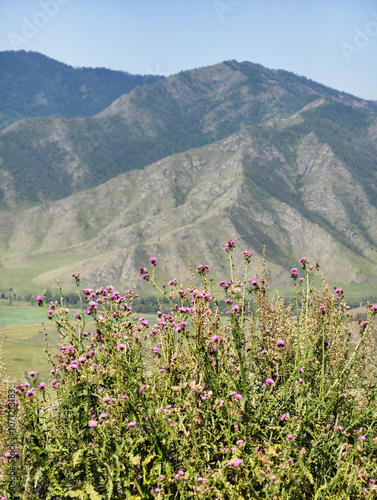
x=32, y=84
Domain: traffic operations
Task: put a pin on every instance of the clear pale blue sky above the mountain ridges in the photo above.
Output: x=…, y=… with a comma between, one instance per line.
x=332, y=42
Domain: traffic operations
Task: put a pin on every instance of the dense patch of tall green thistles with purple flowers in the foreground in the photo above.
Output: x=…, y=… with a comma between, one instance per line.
x=264, y=401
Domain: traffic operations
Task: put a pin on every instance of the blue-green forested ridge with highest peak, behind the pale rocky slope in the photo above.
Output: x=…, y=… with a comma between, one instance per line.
x=46, y=159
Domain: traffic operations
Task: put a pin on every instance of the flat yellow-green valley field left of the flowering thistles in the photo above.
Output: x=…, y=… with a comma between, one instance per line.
x=24, y=341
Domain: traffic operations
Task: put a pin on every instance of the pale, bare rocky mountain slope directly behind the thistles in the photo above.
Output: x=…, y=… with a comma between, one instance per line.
x=187, y=205
